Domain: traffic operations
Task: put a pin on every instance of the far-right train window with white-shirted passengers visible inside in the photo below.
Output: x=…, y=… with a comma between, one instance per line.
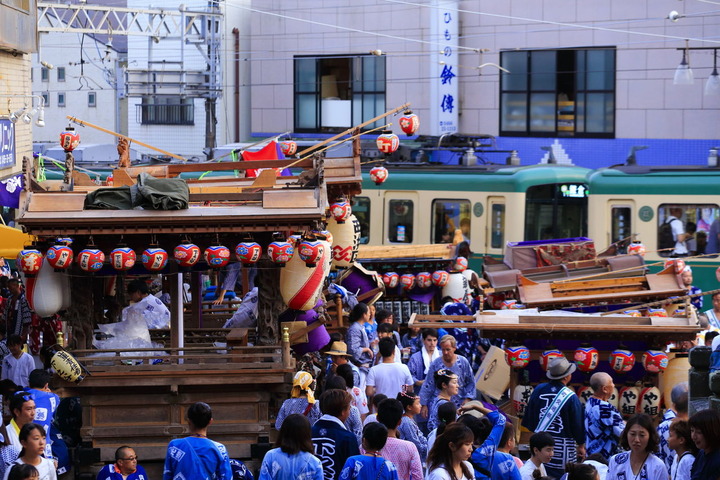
x=696, y=224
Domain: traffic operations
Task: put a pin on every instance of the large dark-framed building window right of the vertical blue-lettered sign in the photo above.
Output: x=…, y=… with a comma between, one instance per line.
x=551, y=93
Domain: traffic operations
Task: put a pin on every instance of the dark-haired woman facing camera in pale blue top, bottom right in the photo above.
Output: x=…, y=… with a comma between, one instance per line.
x=640, y=440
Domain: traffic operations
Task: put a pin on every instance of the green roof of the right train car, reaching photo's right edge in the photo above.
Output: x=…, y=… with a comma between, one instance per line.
x=647, y=180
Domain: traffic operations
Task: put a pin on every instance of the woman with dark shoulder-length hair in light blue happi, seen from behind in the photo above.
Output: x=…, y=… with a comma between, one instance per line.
x=293, y=459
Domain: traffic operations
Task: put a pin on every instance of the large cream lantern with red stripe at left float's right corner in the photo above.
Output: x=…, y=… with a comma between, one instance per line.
x=301, y=286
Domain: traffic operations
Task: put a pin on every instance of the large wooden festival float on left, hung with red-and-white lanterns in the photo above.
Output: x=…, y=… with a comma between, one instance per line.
x=139, y=396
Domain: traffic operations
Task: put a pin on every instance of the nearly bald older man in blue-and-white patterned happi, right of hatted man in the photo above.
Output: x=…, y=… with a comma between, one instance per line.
x=603, y=422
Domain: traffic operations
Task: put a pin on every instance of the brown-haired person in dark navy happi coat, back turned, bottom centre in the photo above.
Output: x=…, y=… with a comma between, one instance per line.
x=334, y=444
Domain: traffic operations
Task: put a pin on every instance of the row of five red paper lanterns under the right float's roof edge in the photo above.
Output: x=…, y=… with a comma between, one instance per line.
x=587, y=359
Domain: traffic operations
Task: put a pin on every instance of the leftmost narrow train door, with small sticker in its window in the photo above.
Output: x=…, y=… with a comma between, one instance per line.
x=401, y=218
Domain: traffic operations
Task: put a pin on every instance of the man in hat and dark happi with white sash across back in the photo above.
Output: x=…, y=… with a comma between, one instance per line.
x=554, y=408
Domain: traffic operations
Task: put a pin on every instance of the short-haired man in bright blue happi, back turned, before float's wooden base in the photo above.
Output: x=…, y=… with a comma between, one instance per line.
x=196, y=456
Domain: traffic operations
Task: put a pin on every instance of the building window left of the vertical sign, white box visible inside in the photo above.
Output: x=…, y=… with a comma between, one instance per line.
x=334, y=93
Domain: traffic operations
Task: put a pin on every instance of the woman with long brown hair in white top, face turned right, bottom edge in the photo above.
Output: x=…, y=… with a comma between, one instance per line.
x=448, y=457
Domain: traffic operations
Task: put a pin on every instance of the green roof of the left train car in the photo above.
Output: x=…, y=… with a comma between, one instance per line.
x=496, y=178
